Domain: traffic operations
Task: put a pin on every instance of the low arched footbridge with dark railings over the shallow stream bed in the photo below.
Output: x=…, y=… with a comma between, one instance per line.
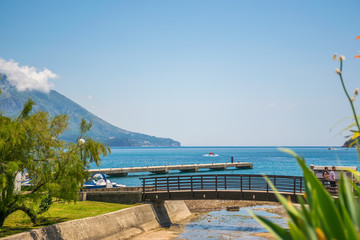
x=227, y=187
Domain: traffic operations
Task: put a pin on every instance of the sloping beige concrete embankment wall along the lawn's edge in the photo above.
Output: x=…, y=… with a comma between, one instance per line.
x=121, y=224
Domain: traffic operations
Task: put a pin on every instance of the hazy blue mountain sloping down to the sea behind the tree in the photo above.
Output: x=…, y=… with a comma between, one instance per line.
x=11, y=103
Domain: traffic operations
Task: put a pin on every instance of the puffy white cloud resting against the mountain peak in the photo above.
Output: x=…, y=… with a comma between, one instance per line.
x=25, y=77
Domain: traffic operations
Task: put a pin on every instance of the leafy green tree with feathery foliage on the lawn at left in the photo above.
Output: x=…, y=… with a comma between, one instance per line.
x=30, y=144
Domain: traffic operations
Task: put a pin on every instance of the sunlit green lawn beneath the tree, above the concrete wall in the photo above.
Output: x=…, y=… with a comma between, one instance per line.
x=59, y=212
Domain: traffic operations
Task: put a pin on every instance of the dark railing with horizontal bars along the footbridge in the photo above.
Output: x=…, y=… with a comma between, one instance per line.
x=289, y=184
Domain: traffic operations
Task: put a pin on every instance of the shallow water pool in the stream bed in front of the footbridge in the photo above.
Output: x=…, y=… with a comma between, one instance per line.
x=230, y=225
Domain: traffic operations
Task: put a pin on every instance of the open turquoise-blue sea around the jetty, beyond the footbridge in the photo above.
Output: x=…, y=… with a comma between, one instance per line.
x=266, y=160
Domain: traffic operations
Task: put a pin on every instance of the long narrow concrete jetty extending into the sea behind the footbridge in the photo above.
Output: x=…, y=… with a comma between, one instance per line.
x=122, y=172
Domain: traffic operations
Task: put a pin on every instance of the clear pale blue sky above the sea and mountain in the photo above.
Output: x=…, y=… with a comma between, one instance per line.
x=219, y=73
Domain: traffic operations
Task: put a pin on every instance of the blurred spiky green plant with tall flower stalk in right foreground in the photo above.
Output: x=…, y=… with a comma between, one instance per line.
x=321, y=215
